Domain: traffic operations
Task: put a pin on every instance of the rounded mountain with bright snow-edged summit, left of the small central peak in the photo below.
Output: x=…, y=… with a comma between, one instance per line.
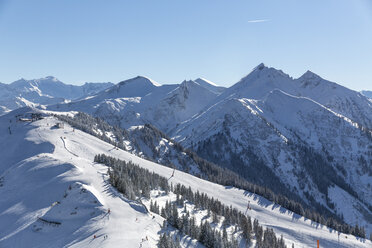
x=123, y=104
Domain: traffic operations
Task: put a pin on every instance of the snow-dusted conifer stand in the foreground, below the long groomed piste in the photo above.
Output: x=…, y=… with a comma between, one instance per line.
x=135, y=182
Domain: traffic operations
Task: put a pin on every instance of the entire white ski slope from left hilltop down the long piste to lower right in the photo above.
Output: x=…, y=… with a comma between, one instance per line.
x=49, y=173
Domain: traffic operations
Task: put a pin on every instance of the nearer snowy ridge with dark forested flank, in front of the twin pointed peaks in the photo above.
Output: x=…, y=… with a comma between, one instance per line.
x=276, y=141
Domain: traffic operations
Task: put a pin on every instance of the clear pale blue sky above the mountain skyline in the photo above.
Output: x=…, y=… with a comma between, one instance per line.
x=169, y=41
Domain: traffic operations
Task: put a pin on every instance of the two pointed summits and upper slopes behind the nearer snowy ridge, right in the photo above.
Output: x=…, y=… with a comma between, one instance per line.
x=263, y=80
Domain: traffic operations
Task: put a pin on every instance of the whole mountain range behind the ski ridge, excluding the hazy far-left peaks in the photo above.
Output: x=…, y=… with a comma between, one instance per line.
x=306, y=138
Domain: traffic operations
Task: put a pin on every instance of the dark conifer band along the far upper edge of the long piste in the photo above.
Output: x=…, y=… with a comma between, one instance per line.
x=217, y=174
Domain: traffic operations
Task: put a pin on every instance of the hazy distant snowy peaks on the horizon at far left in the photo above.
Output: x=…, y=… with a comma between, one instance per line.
x=43, y=91
